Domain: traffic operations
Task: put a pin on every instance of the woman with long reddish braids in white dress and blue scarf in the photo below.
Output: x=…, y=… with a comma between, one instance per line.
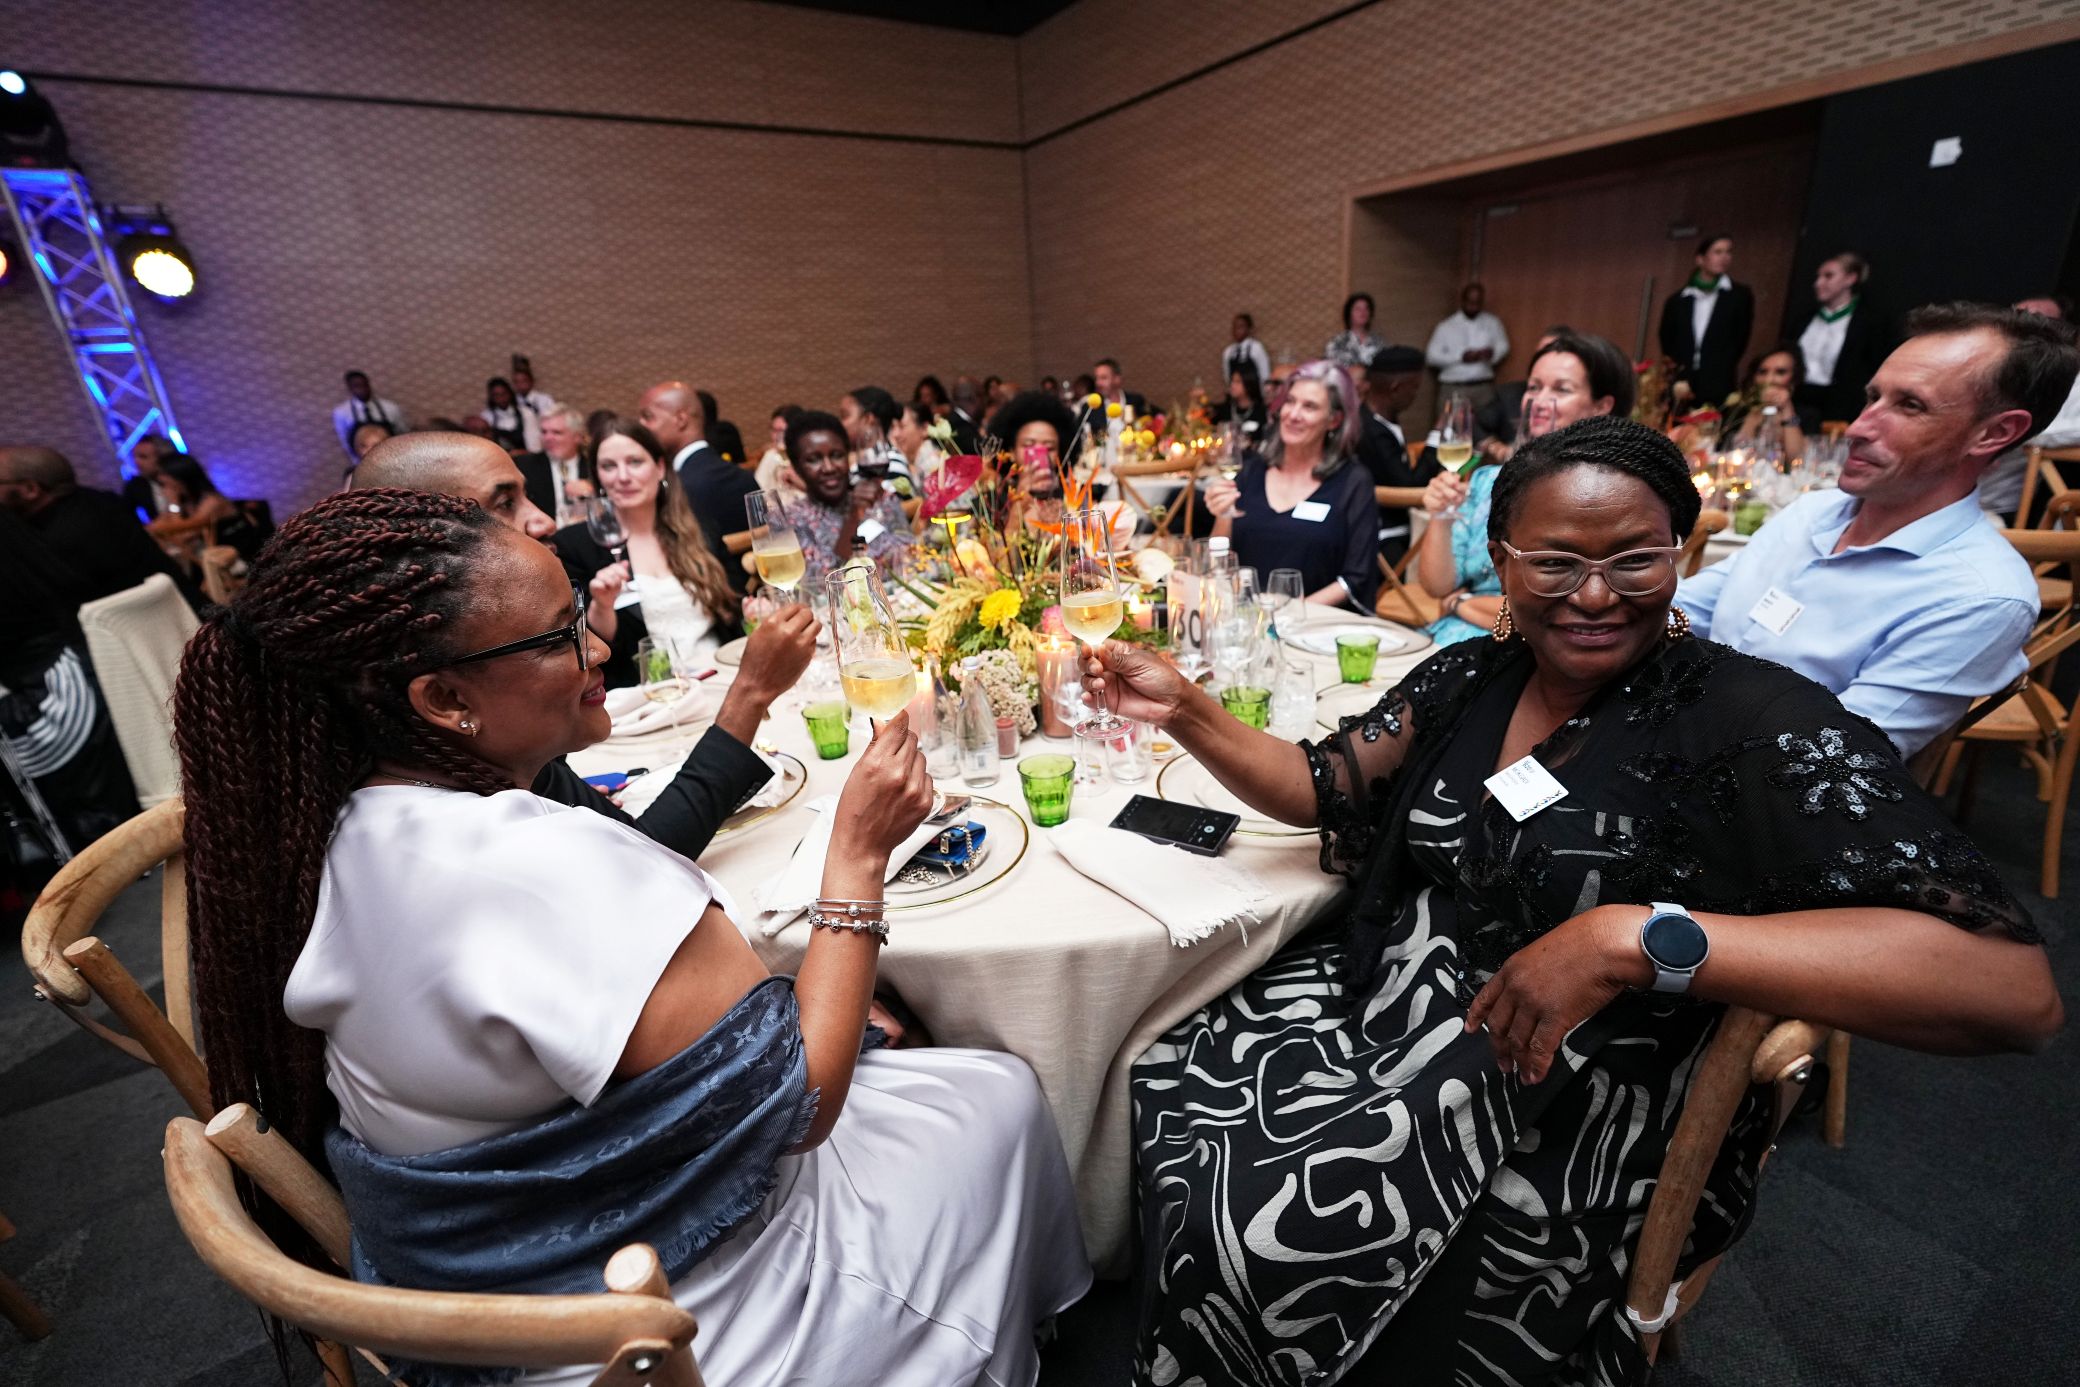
x=461, y=997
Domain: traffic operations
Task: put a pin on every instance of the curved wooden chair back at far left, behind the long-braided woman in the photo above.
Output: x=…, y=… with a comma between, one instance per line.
x=72, y=968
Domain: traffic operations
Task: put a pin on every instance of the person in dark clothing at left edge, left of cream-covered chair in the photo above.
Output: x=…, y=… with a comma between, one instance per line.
x=95, y=533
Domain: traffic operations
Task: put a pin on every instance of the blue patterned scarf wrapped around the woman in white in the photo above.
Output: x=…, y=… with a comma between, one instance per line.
x=675, y=1157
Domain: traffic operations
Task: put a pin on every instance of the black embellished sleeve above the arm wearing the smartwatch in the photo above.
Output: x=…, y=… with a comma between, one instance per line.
x=1782, y=800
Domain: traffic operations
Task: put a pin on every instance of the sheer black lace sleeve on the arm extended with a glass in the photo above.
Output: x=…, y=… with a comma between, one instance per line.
x=1357, y=766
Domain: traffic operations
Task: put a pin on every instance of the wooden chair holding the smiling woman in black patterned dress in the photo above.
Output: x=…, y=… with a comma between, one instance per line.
x=1746, y=1051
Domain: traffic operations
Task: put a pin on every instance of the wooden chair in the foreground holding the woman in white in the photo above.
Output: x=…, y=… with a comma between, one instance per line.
x=633, y=1326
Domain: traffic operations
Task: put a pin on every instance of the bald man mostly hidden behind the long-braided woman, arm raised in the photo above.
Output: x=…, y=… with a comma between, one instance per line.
x=721, y=773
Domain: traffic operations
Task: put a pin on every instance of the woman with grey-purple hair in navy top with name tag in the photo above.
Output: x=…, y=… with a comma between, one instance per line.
x=1301, y=502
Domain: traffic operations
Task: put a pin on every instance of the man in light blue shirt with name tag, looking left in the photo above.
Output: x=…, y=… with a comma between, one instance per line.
x=1896, y=592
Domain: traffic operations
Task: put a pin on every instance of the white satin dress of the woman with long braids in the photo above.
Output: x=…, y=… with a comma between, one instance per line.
x=477, y=962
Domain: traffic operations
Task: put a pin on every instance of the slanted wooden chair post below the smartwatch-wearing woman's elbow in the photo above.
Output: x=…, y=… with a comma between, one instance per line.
x=1715, y=1093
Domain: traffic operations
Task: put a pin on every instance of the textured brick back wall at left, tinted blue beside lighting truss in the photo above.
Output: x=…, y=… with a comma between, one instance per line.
x=430, y=244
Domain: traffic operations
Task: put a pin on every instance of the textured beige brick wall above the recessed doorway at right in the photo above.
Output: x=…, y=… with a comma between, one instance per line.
x=1149, y=228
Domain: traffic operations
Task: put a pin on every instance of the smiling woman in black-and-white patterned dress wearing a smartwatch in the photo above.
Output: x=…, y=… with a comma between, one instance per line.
x=1574, y=843
